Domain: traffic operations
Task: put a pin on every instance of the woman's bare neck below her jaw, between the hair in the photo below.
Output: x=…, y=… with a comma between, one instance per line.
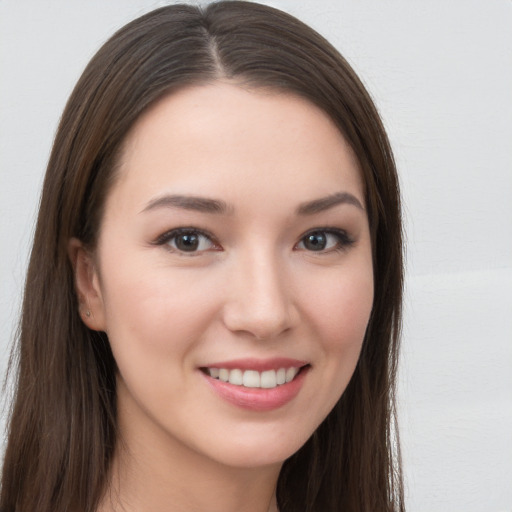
x=151, y=473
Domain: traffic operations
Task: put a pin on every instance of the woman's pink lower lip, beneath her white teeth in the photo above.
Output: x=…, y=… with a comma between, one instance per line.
x=258, y=399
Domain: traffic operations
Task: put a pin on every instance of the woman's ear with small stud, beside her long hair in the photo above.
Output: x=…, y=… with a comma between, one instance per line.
x=87, y=285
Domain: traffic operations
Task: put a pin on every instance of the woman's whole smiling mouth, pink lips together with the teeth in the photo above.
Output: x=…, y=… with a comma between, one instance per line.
x=257, y=385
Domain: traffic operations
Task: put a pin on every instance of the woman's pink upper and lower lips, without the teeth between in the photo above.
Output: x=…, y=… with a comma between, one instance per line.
x=258, y=399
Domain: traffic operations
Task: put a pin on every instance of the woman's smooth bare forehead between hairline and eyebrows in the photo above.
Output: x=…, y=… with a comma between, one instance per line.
x=222, y=139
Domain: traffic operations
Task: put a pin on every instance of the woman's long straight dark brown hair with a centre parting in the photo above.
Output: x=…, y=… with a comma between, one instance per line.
x=62, y=430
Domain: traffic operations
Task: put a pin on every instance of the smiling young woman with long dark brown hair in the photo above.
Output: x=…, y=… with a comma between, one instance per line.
x=212, y=306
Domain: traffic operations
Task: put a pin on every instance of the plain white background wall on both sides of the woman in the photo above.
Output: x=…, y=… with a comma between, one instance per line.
x=441, y=75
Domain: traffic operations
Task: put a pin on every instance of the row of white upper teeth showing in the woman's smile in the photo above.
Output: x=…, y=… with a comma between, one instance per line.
x=253, y=379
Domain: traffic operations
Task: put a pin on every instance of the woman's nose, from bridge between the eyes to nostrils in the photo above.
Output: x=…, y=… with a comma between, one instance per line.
x=260, y=299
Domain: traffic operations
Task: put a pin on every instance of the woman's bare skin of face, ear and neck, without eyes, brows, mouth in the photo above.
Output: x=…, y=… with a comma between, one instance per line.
x=254, y=289
